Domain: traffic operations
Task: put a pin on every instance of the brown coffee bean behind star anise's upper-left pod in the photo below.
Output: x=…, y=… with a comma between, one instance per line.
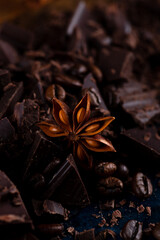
x=56, y=91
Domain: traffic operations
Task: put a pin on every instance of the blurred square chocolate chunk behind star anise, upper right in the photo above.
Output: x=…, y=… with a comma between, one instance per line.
x=116, y=64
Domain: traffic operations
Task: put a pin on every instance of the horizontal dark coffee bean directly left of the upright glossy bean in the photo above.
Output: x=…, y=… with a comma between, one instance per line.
x=110, y=186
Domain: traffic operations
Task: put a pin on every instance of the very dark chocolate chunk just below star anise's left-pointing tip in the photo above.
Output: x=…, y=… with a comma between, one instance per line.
x=42, y=152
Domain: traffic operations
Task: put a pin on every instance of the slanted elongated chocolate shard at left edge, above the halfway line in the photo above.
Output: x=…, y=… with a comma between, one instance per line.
x=12, y=94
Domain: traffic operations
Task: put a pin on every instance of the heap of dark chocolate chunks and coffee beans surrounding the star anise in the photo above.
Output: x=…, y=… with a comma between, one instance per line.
x=111, y=52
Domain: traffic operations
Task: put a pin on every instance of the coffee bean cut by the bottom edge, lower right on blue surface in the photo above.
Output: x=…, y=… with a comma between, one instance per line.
x=132, y=230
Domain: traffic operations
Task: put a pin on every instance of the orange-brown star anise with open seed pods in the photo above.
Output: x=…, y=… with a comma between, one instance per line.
x=79, y=129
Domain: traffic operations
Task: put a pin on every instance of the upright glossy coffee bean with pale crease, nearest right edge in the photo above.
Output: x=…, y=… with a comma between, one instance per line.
x=142, y=186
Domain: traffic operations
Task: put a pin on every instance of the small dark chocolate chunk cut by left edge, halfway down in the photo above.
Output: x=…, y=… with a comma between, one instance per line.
x=7, y=131
